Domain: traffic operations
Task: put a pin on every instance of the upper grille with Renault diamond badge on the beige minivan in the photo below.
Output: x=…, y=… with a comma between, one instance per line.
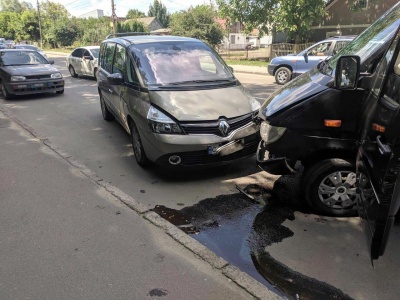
x=213, y=127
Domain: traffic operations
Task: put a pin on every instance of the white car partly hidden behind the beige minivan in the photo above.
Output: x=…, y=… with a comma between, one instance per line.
x=83, y=61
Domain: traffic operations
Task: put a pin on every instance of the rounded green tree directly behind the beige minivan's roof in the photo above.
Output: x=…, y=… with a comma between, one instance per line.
x=198, y=22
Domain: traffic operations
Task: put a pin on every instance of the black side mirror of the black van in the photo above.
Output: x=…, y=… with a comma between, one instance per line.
x=347, y=72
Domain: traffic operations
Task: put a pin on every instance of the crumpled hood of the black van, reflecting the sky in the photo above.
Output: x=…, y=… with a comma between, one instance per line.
x=298, y=89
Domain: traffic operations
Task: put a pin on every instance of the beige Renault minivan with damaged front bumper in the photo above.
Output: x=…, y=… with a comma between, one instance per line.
x=178, y=99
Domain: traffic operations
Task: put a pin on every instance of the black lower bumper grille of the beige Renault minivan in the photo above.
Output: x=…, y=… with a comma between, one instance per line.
x=198, y=158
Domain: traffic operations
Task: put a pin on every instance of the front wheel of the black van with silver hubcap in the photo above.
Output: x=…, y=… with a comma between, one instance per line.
x=329, y=187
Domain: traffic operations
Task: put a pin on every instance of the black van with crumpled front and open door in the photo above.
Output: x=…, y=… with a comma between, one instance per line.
x=341, y=120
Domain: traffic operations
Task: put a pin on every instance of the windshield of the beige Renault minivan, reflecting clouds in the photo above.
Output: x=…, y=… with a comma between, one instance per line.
x=177, y=62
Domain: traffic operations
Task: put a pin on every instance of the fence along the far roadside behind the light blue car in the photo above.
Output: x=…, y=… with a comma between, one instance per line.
x=264, y=53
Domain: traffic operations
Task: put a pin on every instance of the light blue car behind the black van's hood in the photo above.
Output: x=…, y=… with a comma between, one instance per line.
x=285, y=68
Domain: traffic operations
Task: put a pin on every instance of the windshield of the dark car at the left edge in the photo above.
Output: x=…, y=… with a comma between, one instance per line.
x=15, y=58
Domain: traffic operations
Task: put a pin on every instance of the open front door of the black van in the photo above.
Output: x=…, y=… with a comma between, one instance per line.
x=378, y=158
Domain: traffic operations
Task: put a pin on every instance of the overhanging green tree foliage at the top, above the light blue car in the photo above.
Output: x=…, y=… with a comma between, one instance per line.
x=295, y=17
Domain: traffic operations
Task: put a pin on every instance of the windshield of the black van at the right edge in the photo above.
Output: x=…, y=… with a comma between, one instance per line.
x=368, y=45
